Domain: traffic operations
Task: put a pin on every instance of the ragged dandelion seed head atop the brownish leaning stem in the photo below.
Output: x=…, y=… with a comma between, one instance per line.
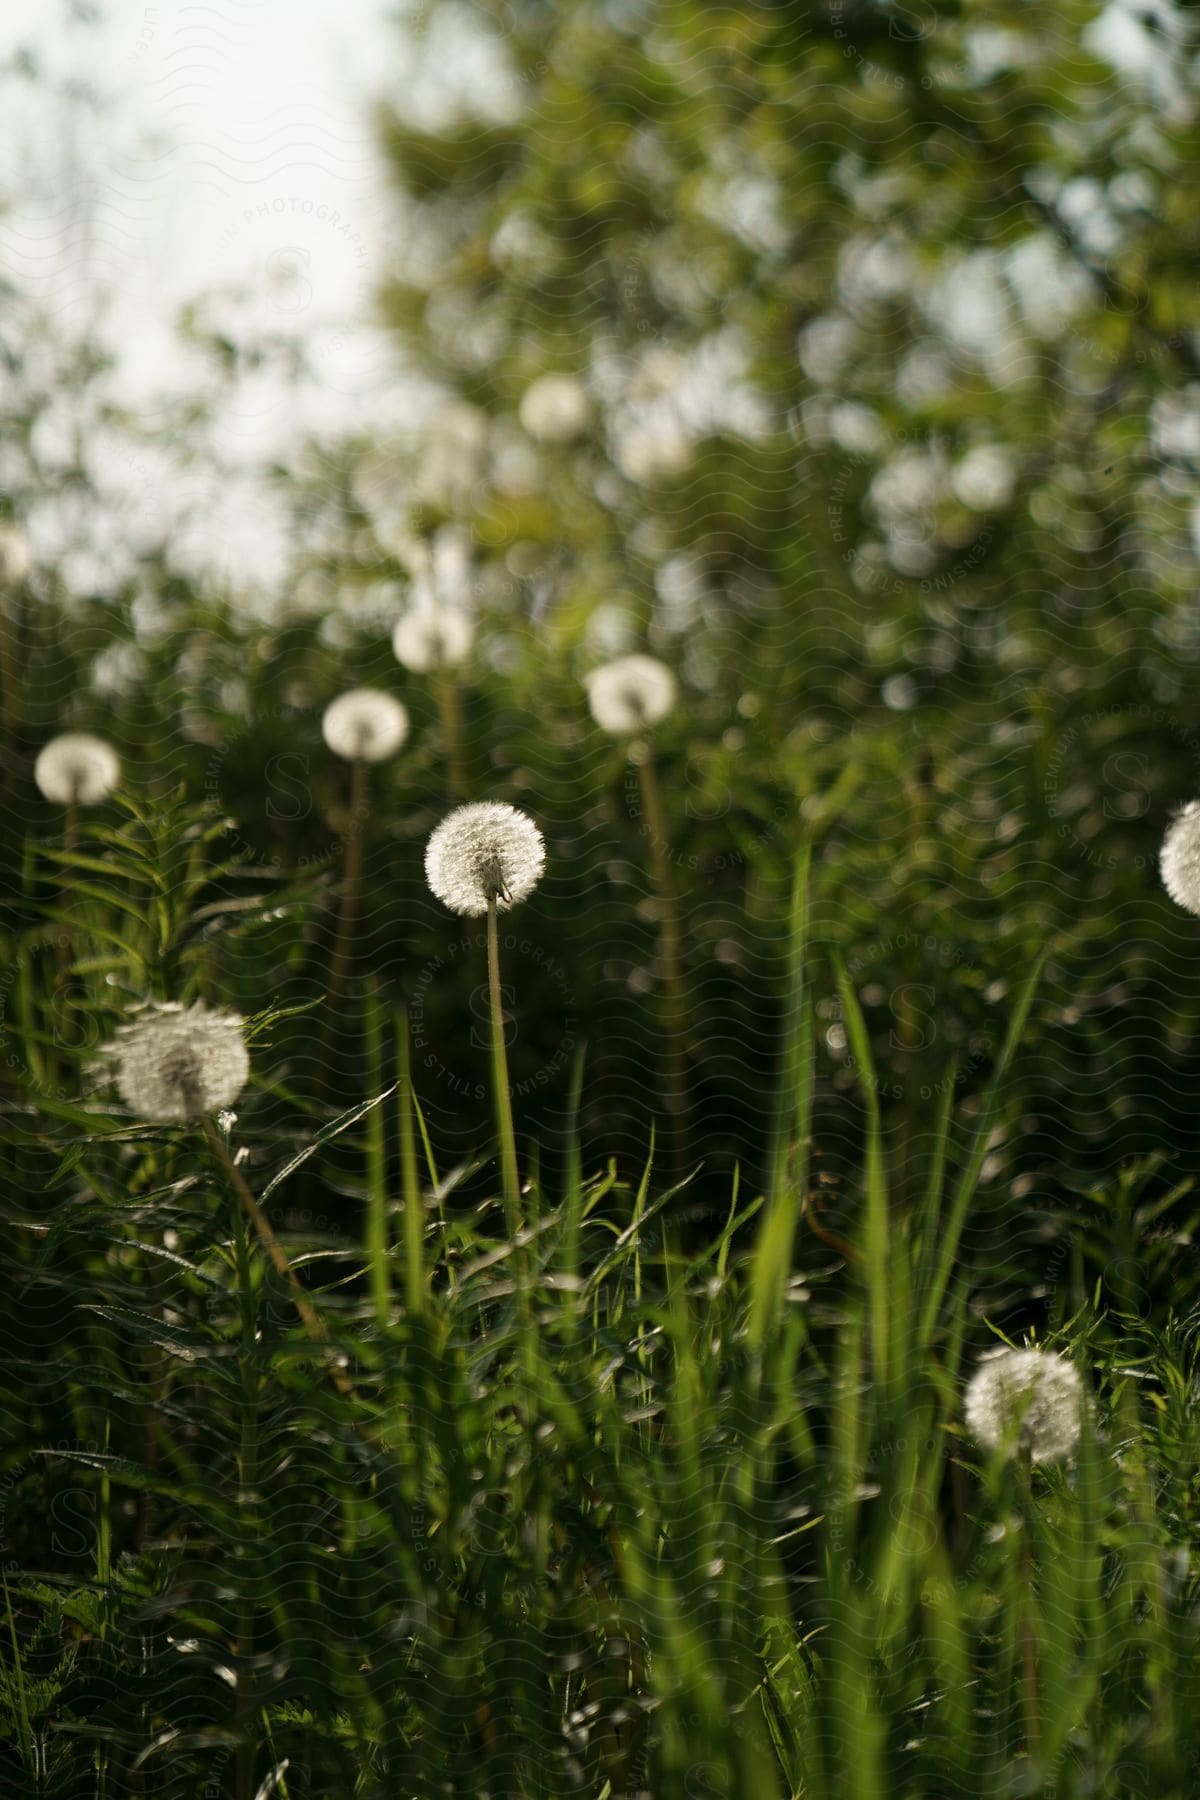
x=181, y=1063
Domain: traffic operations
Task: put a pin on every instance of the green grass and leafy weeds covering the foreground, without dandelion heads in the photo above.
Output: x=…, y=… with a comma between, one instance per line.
x=586, y=1509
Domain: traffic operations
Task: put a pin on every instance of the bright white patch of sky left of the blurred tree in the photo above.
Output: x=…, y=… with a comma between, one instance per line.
x=233, y=157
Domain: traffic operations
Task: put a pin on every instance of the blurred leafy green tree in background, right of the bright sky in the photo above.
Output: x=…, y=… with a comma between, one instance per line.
x=846, y=359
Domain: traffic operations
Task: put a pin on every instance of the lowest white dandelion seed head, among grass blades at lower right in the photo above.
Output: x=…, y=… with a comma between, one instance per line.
x=1026, y=1399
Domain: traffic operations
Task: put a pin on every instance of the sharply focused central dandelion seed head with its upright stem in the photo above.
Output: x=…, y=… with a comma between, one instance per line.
x=485, y=859
